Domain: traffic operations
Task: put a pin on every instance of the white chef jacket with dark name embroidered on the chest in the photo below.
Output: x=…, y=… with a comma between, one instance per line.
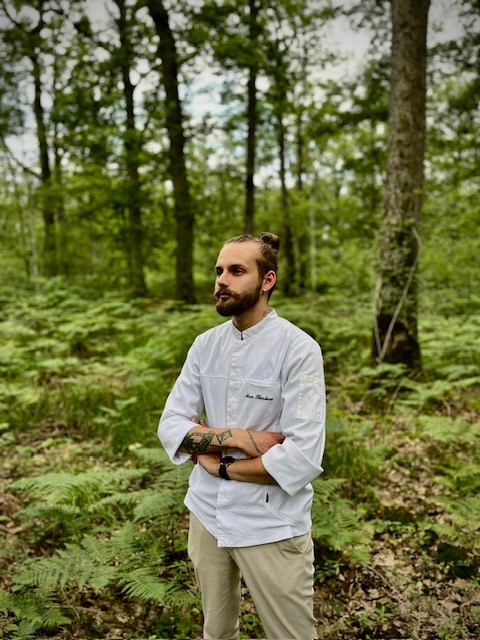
x=267, y=378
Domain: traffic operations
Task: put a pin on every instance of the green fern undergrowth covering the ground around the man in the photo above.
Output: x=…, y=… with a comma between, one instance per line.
x=92, y=512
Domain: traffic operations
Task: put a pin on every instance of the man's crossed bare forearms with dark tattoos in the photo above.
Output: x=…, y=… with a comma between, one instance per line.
x=206, y=444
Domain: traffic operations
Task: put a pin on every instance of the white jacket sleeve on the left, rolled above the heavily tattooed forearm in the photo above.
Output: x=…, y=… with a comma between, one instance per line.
x=184, y=402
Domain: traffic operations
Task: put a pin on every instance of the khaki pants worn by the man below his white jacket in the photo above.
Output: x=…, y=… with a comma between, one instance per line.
x=279, y=577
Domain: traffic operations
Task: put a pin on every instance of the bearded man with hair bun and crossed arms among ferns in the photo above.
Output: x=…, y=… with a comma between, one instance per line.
x=259, y=380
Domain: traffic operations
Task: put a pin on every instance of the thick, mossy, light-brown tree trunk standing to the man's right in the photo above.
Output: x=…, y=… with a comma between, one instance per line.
x=396, y=305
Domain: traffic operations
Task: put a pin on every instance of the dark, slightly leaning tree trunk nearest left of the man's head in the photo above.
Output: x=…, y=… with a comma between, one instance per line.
x=174, y=123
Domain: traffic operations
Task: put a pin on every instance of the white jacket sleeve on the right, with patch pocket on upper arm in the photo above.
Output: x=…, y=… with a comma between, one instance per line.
x=297, y=461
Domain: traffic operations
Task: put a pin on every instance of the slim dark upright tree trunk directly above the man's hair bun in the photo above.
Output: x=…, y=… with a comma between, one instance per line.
x=251, y=122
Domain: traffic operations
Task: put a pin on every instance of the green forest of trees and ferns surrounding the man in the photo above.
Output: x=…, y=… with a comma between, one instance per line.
x=136, y=136
